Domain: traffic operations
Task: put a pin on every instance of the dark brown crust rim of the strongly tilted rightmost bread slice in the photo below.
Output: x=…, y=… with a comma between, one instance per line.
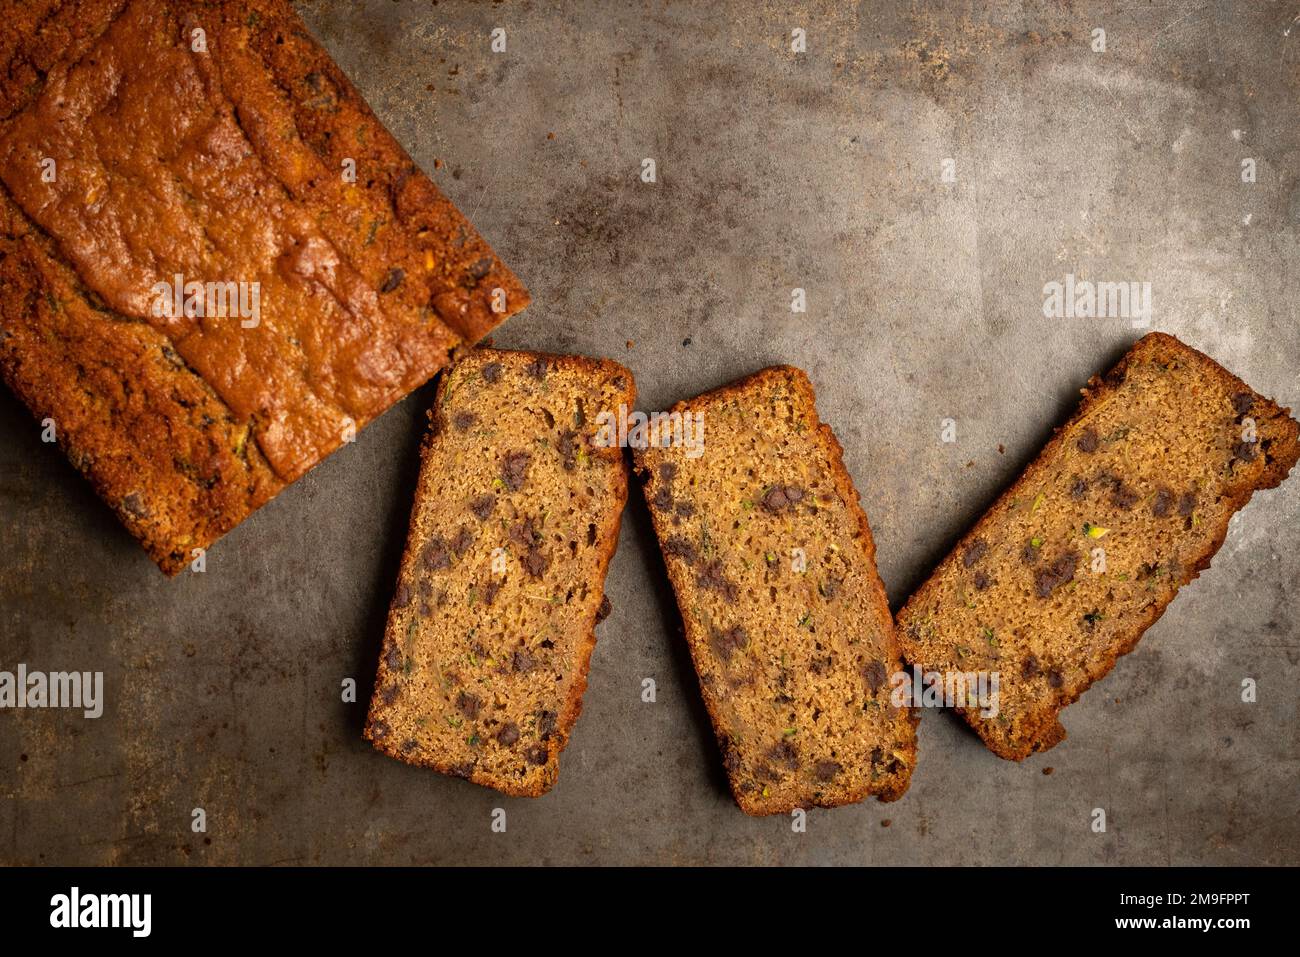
x=1280, y=444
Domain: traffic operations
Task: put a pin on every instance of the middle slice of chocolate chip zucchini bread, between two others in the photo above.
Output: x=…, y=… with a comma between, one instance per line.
x=774, y=568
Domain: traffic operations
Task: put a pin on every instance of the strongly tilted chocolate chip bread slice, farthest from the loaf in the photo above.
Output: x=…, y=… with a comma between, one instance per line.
x=1128, y=503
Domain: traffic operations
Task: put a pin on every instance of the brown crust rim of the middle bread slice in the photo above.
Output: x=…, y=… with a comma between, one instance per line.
x=684, y=583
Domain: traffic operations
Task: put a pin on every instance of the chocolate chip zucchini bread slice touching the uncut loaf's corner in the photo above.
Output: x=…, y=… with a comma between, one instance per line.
x=515, y=519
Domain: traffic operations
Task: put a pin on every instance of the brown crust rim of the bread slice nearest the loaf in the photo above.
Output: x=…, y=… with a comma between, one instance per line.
x=434, y=486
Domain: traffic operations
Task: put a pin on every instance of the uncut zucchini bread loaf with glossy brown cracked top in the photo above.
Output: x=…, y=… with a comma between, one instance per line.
x=216, y=266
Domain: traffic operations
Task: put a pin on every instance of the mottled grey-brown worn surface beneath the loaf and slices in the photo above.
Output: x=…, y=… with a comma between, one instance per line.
x=925, y=302
